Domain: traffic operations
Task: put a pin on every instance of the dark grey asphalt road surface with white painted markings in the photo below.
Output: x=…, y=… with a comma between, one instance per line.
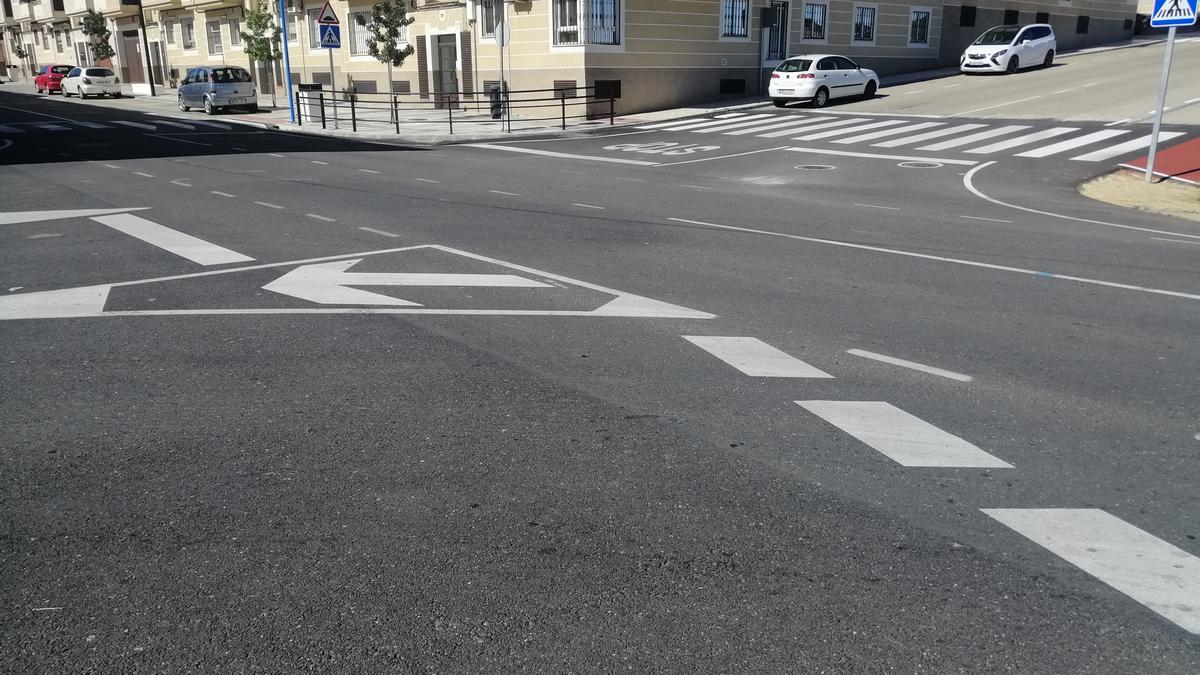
x=657, y=402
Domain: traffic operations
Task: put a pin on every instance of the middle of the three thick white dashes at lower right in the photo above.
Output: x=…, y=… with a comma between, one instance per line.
x=905, y=439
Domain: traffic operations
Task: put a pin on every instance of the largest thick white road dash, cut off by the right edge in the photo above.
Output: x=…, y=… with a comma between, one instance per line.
x=1156, y=574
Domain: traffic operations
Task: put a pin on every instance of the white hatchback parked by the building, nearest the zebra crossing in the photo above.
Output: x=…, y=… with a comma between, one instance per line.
x=819, y=79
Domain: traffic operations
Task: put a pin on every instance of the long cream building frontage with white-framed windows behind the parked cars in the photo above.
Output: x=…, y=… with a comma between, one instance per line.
x=647, y=55
